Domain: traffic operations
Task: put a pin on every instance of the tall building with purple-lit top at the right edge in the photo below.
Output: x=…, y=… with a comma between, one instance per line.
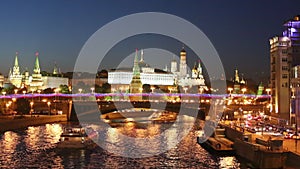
x=284, y=55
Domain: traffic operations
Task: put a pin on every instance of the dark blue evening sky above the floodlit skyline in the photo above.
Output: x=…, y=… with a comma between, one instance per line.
x=239, y=30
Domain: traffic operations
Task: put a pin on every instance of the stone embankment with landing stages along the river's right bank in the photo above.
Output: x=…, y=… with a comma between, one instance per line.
x=262, y=151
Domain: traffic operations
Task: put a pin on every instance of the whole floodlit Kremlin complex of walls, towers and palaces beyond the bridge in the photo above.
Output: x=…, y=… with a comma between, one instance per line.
x=126, y=80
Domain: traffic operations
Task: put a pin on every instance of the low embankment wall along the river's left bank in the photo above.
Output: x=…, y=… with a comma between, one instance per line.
x=8, y=123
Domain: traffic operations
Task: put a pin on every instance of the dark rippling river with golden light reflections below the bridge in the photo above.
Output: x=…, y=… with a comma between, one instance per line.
x=35, y=147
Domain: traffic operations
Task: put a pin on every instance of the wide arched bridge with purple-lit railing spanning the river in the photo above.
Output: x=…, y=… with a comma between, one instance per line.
x=93, y=102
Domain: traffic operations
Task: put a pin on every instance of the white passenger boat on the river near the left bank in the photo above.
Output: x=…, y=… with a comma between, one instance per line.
x=74, y=137
